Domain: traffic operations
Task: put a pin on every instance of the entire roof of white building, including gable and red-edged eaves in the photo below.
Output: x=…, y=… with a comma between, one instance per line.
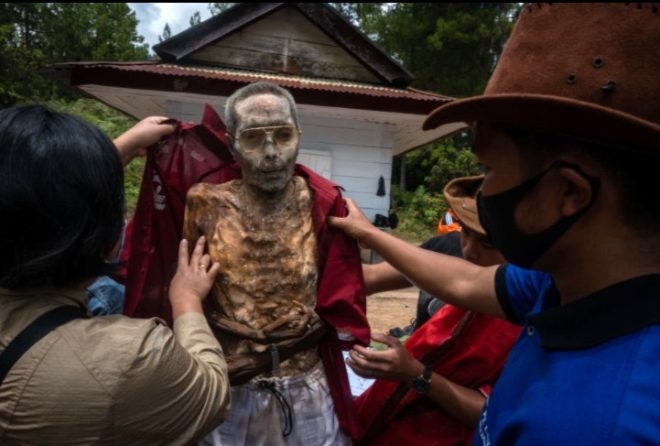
x=330, y=67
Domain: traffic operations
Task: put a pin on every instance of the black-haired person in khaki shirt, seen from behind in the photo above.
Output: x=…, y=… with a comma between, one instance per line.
x=65, y=377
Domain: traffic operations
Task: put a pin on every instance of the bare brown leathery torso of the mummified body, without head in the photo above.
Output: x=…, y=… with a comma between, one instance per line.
x=268, y=276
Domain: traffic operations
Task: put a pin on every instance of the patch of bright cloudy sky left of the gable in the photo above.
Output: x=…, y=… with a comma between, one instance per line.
x=152, y=18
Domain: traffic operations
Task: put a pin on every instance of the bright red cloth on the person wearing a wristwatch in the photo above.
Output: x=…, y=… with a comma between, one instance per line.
x=467, y=348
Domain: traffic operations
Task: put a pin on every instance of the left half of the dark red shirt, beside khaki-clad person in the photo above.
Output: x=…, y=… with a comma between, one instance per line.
x=193, y=153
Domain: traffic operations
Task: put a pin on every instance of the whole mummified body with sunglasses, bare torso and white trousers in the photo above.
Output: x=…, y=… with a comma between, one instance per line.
x=262, y=229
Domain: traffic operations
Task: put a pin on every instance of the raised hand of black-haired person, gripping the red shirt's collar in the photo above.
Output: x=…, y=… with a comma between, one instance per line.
x=135, y=141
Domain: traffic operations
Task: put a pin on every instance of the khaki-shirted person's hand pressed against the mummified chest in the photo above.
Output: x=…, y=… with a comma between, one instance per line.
x=193, y=279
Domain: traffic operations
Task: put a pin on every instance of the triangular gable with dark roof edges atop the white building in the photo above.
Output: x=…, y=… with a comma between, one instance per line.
x=296, y=36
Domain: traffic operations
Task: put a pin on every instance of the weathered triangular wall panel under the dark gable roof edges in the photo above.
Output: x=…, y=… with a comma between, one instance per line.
x=284, y=42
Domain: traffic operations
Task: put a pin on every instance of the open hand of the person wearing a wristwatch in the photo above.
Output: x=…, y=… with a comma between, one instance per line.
x=394, y=363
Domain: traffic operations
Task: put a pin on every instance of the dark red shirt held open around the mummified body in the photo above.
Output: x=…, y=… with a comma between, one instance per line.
x=198, y=153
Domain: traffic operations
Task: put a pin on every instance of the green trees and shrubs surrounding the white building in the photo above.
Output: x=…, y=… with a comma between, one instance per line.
x=450, y=48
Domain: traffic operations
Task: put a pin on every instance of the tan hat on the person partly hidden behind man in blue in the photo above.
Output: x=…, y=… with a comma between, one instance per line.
x=460, y=195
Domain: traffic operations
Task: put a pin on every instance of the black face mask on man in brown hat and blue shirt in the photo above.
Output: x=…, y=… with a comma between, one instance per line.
x=496, y=215
